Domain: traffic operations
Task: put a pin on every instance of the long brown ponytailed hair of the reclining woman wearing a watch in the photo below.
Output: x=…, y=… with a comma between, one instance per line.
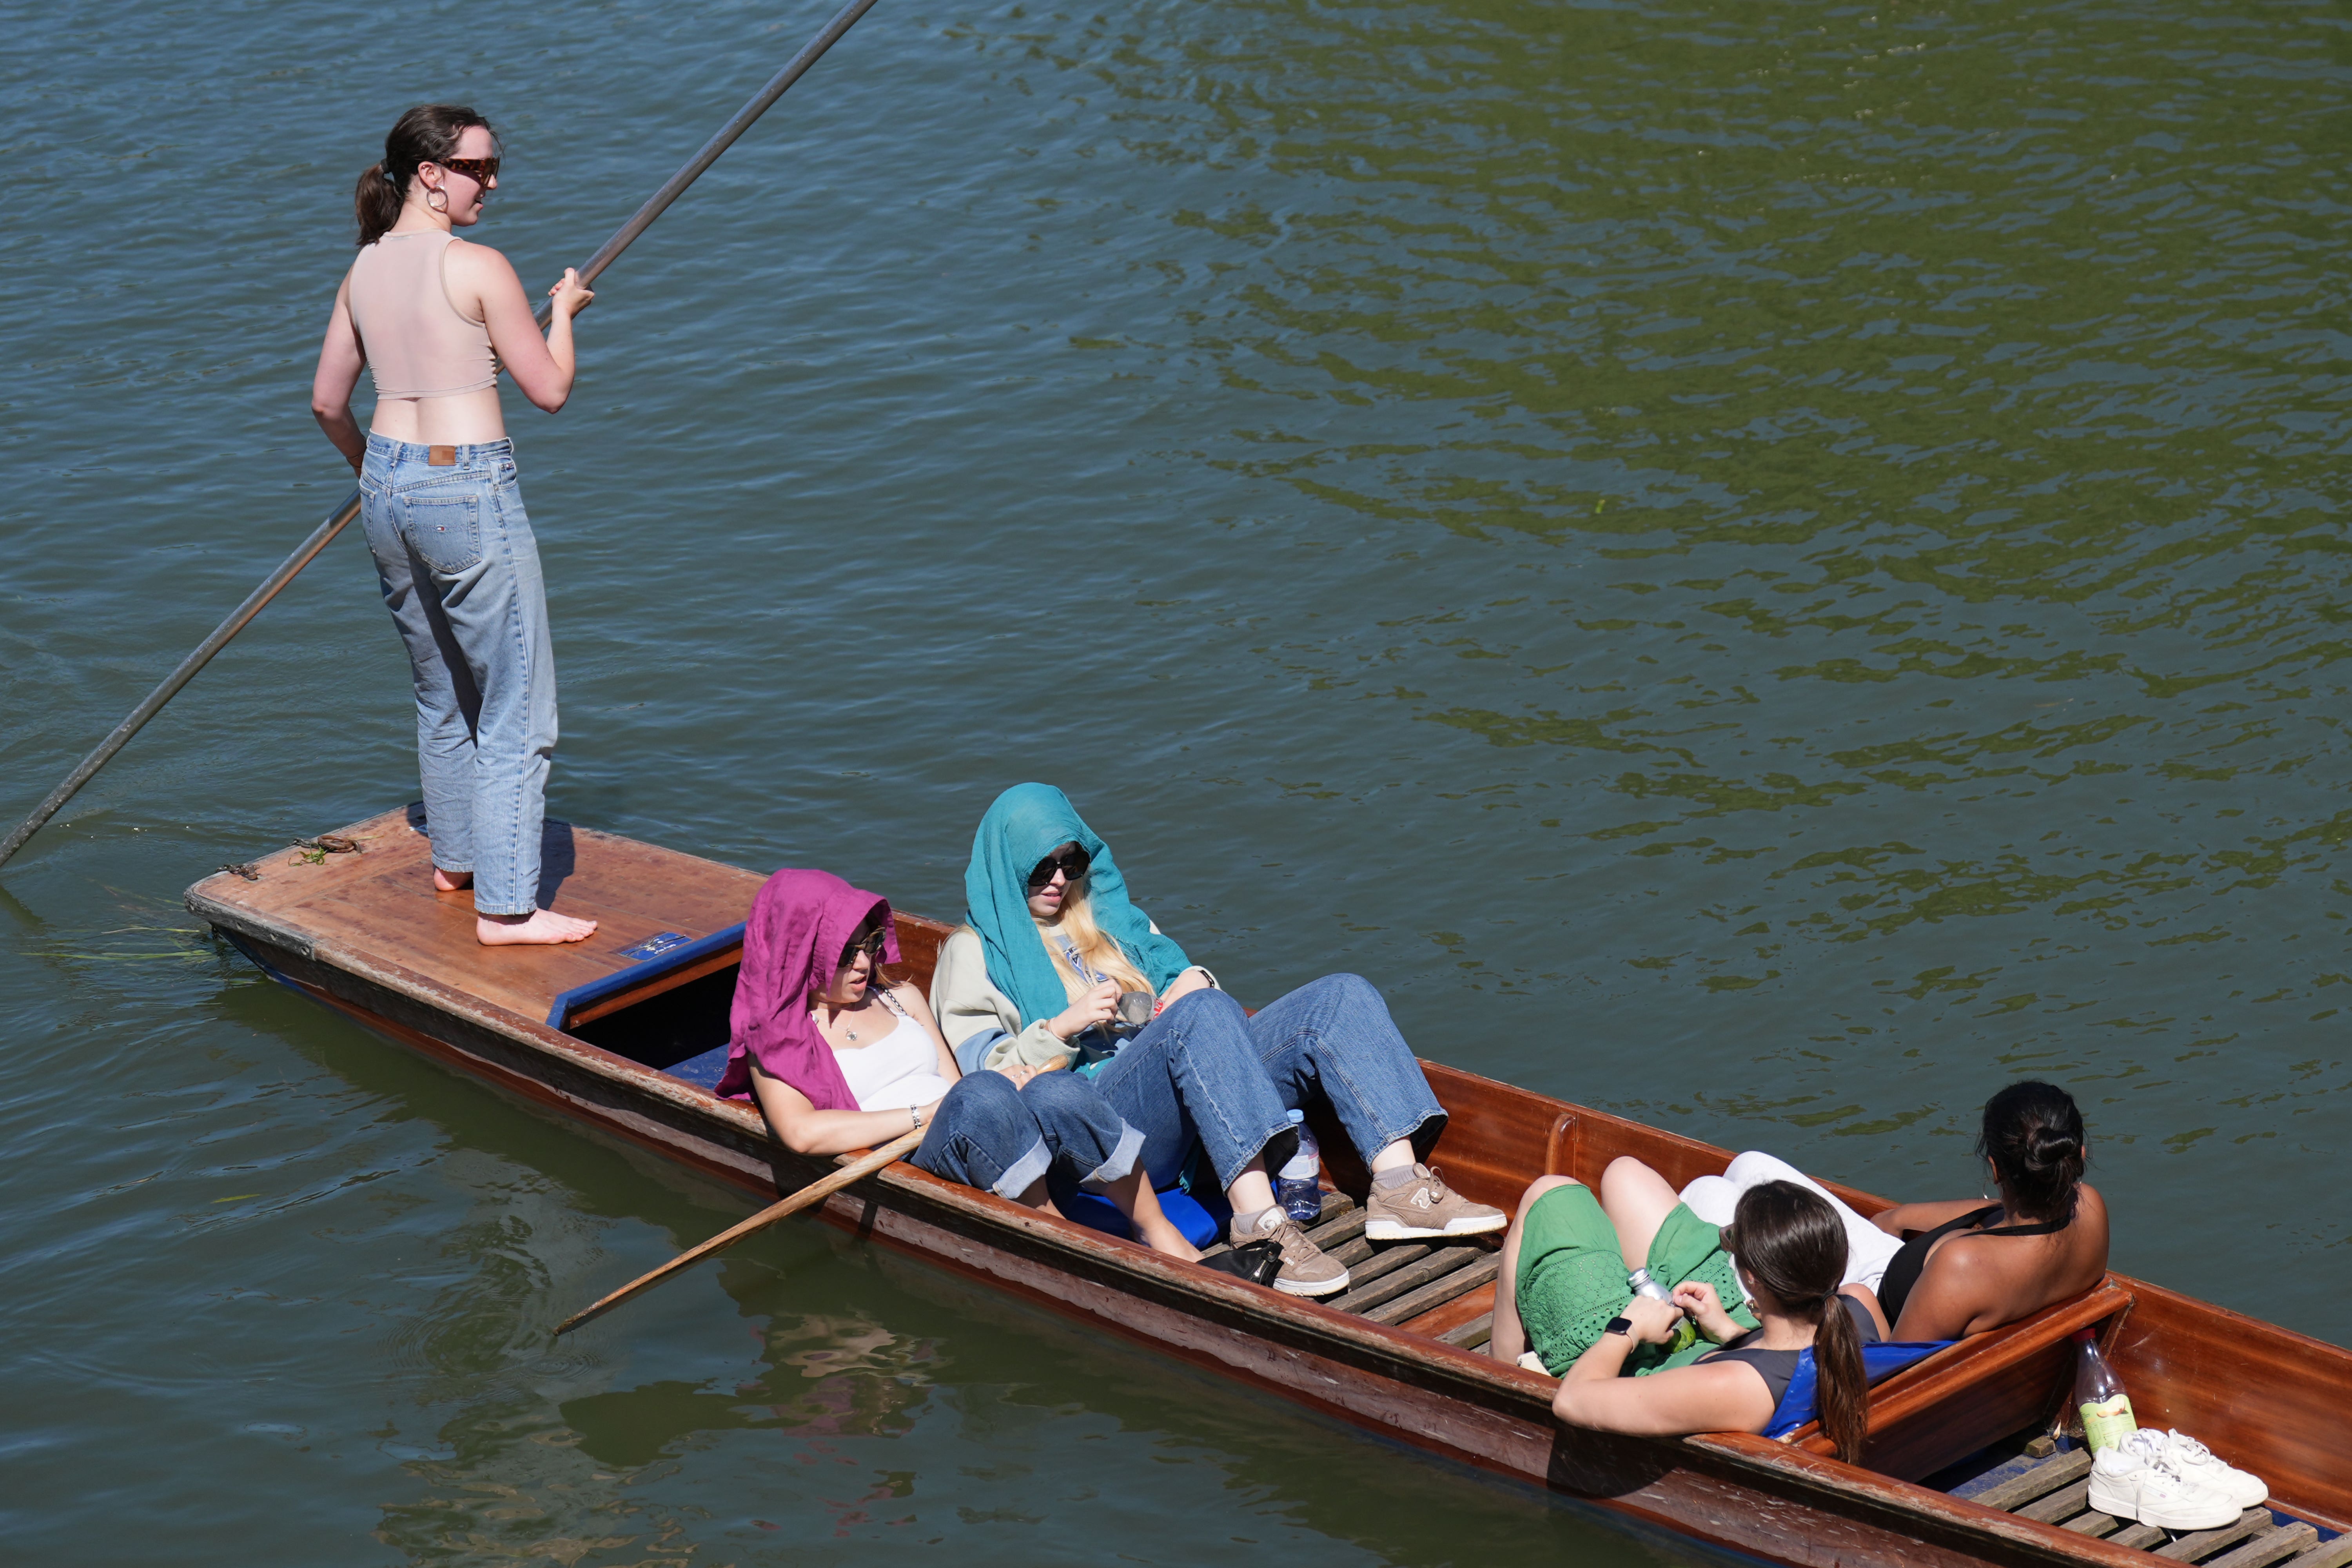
x=1793, y=1247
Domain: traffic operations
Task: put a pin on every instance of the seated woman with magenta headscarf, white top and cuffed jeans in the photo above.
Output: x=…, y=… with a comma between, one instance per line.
x=841, y=1057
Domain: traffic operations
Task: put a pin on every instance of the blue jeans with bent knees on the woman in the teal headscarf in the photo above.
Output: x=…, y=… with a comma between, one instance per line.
x=1208, y=1071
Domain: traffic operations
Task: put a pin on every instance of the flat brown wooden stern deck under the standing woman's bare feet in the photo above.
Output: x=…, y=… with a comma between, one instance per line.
x=382, y=904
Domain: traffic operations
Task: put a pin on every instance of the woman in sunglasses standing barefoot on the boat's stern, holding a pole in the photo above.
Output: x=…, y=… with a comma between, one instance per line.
x=439, y=319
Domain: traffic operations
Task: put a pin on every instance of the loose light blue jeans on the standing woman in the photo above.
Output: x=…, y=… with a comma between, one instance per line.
x=460, y=575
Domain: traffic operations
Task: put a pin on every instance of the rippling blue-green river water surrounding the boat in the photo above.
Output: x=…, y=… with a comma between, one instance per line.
x=1768, y=568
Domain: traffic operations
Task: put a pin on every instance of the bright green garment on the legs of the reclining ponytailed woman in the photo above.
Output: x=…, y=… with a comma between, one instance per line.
x=1572, y=1278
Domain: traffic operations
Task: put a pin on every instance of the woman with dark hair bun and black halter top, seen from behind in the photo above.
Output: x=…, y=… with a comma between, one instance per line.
x=1972, y=1266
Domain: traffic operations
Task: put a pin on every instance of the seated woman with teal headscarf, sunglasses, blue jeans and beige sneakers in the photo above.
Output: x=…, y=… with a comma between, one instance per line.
x=1043, y=965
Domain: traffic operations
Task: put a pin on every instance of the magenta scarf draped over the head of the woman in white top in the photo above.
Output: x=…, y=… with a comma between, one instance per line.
x=791, y=946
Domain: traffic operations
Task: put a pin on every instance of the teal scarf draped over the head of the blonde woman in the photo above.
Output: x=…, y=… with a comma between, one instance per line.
x=1020, y=831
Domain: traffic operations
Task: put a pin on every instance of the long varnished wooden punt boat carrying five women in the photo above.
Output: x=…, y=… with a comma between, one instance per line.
x=1960, y=1468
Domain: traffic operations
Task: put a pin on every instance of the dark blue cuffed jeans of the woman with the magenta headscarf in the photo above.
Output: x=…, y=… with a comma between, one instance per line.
x=1003, y=1139
